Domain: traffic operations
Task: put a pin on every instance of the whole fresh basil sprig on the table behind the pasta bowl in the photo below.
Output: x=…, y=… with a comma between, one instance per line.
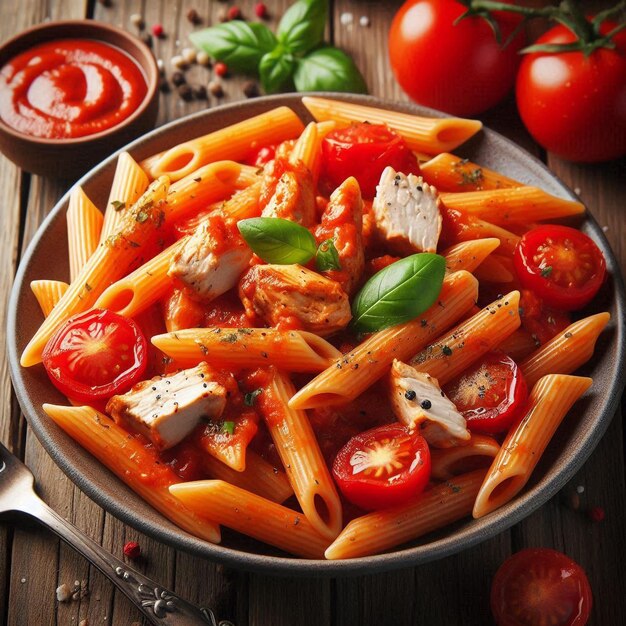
x=296, y=56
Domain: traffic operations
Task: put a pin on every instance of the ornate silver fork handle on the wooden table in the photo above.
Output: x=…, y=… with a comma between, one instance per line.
x=160, y=606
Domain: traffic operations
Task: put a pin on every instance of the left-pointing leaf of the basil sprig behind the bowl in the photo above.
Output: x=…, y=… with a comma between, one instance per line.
x=239, y=44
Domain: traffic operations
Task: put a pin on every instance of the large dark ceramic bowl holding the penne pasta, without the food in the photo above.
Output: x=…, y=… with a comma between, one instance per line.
x=568, y=450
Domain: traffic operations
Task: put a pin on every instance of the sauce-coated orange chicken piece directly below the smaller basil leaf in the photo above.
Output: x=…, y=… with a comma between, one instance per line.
x=291, y=296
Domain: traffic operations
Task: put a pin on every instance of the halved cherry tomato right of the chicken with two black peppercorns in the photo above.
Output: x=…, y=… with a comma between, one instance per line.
x=491, y=394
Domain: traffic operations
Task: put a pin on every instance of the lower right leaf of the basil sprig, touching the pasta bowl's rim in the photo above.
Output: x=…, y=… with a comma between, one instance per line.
x=328, y=69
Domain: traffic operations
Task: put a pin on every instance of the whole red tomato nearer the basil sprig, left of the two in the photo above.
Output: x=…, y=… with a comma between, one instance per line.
x=459, y=68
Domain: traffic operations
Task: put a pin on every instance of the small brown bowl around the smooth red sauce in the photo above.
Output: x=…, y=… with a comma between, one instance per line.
x=69, y=158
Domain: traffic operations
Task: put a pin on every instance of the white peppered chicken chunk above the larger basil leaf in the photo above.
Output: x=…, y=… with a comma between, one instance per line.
x=407, y=212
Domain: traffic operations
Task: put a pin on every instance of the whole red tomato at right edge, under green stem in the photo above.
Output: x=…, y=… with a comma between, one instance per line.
x=575, y=105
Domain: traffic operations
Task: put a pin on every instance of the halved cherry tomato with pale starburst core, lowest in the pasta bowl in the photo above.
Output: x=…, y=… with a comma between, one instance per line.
x=382, y=467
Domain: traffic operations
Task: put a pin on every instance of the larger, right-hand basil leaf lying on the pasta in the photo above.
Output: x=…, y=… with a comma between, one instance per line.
x=399, y=292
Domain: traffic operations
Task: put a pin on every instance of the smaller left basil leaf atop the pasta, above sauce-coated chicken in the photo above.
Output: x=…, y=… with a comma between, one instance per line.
x=277, y=240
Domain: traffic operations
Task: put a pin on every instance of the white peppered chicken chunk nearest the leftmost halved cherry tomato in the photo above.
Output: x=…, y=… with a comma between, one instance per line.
x=167, y=408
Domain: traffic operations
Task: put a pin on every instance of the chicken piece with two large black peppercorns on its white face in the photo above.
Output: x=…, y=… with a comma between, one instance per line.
x=417, y=400
